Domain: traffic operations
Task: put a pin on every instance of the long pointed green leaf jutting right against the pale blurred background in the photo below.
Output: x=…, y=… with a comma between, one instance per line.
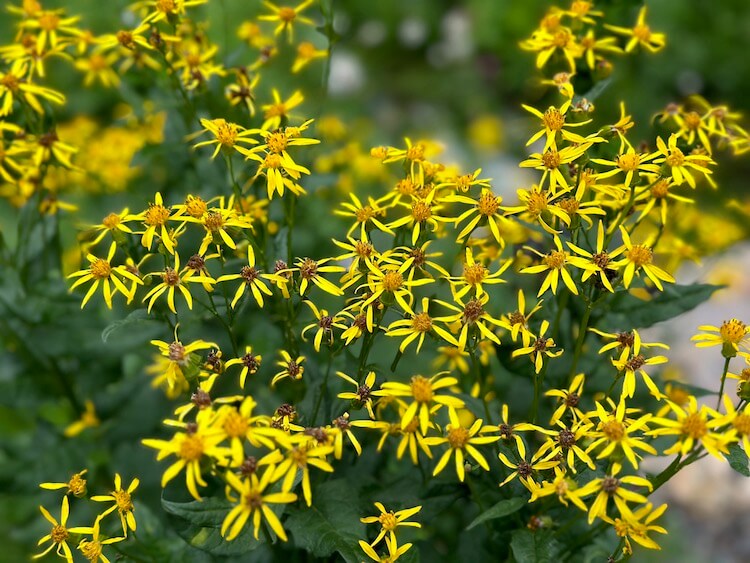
x=628, y=311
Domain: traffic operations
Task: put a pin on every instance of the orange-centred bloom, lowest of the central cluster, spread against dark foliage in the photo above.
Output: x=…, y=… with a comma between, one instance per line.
x=462, y=441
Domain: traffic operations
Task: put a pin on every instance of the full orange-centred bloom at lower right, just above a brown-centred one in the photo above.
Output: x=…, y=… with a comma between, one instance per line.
x=615, y=431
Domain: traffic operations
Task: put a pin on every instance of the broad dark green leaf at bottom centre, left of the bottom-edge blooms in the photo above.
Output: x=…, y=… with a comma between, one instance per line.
x=331, y=524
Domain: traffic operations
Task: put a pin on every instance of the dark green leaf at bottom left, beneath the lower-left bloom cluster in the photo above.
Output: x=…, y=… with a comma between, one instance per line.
x=199, y=524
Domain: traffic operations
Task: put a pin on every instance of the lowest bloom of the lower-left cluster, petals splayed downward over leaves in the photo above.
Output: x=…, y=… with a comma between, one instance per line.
x=252, y=502
